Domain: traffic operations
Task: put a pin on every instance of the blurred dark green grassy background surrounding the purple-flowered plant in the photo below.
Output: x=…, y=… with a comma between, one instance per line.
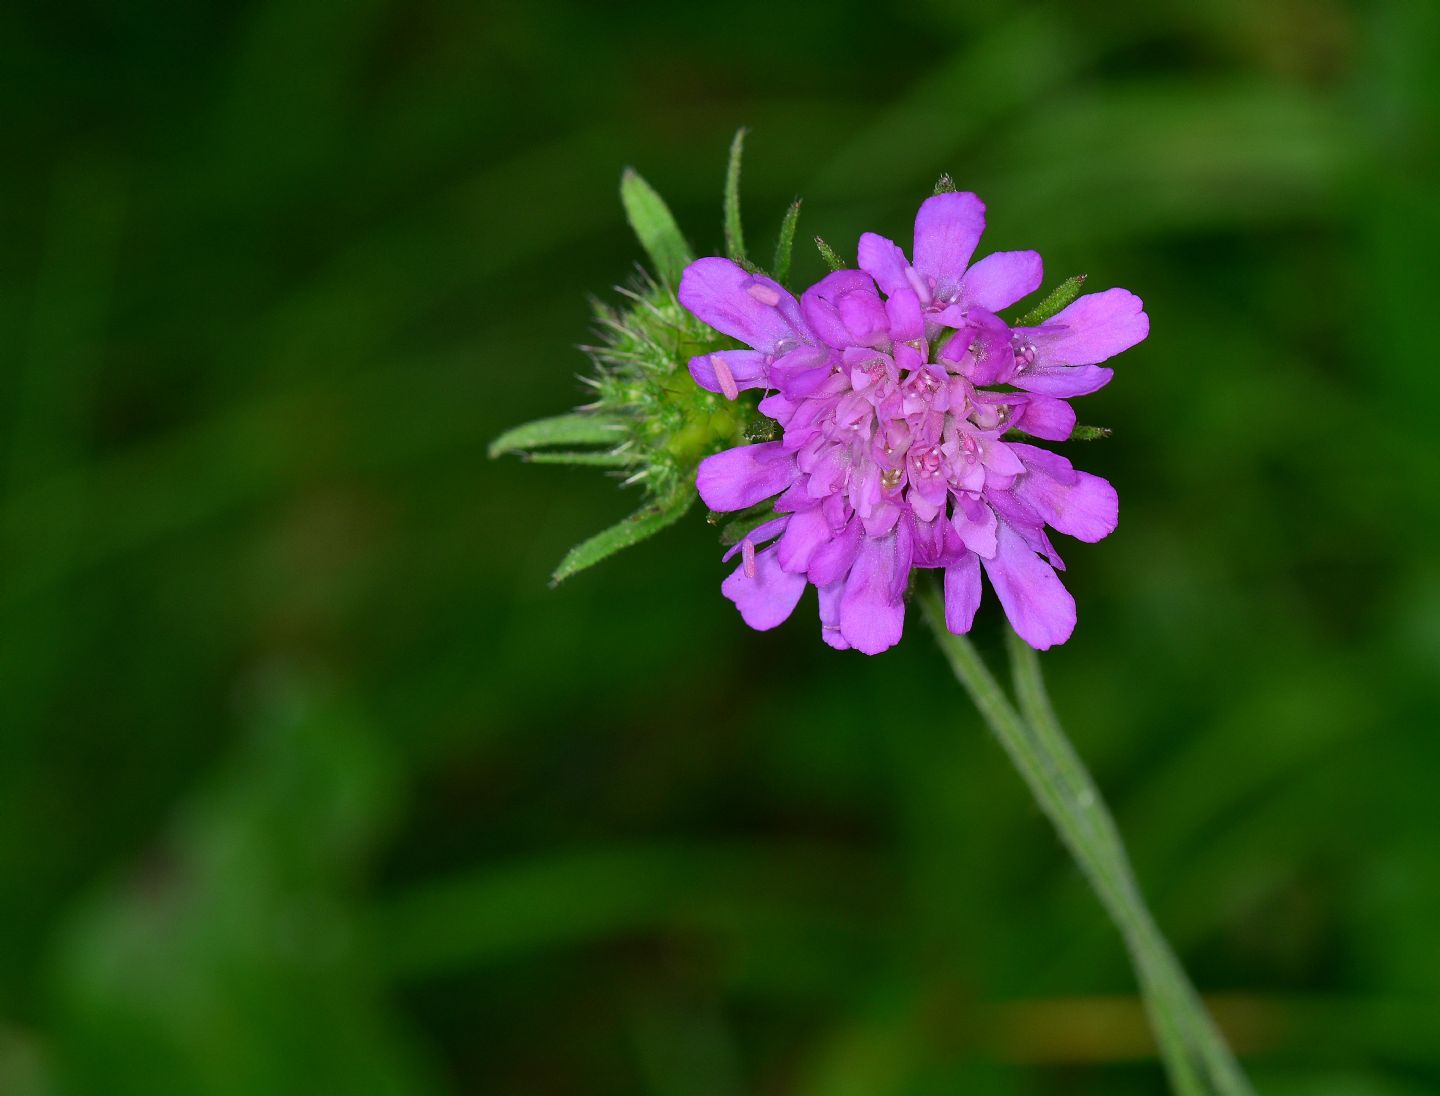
x=307, y=781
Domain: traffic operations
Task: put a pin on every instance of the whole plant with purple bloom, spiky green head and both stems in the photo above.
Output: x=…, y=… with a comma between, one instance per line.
x=902, y=417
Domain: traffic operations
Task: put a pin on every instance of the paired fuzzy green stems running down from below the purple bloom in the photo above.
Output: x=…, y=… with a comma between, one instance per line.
x=1194, y=1052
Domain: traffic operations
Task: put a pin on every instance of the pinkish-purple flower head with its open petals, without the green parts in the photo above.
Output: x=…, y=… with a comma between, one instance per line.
x=896, y=387
